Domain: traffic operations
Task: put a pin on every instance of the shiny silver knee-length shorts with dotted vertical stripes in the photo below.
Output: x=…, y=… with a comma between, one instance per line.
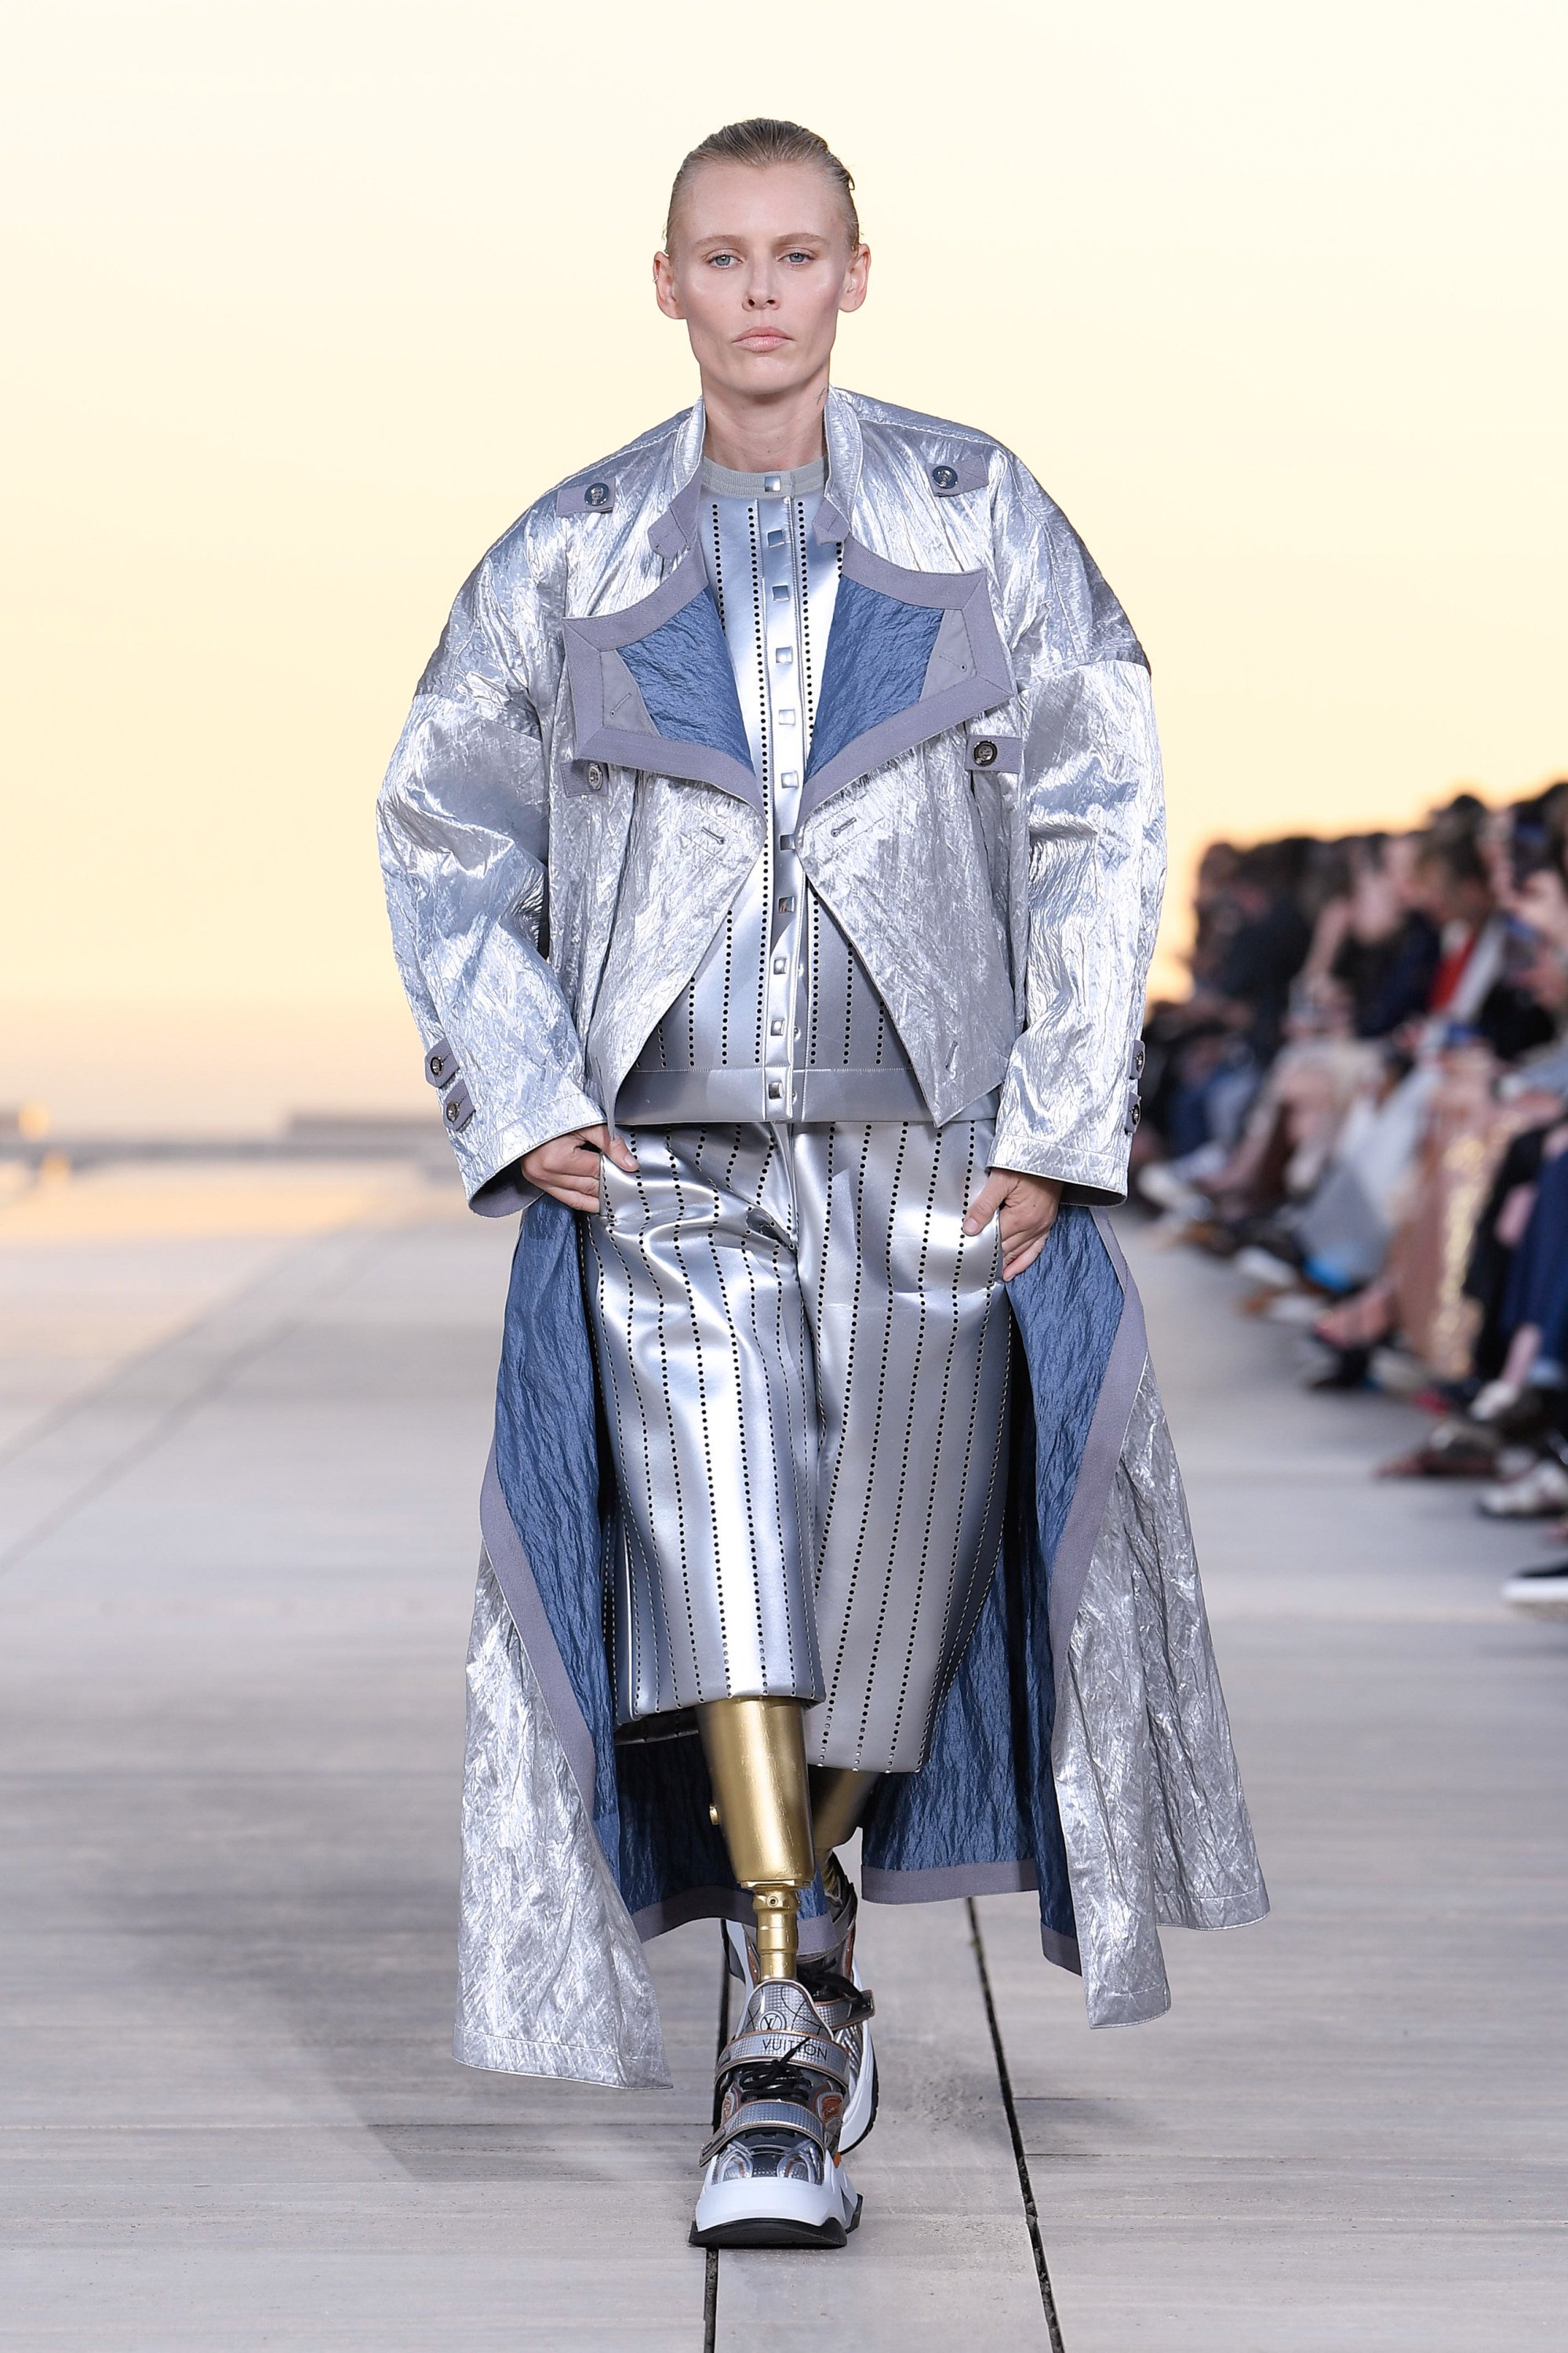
x=805, y=1366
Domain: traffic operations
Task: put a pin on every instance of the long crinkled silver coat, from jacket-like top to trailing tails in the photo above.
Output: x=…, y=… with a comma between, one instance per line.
x=563, y=832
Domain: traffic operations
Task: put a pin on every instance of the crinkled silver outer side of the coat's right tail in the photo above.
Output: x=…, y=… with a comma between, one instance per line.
x=1146, y=1775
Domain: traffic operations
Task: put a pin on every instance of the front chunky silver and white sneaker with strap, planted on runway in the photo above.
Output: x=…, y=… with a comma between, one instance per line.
x=772, y=2171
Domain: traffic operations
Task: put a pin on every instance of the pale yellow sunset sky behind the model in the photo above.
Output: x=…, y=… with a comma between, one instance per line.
x=307, y=302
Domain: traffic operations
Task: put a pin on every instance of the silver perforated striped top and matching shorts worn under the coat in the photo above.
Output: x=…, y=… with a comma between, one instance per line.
x=803, y=1357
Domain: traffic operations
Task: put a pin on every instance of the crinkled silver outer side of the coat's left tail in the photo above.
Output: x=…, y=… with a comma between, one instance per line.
x=551, y=1973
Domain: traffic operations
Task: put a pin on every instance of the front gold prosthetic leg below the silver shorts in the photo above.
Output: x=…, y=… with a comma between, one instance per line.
x=758, y=1768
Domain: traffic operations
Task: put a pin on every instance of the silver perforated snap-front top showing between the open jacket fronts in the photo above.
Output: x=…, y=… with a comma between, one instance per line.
x=779, y=992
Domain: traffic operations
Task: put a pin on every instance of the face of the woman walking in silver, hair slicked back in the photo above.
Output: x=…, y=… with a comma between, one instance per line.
x=758, y=269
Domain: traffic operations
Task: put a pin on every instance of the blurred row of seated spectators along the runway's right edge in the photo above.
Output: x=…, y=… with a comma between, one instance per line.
x=1365, y=1100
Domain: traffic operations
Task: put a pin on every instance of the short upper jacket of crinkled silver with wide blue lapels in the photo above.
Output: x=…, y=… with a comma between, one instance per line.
x=572, y=804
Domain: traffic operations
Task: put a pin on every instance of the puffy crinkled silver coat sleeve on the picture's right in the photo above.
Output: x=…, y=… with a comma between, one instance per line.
x=1092, y=841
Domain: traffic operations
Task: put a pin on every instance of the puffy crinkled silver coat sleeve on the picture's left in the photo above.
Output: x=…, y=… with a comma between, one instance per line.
x=464, y=846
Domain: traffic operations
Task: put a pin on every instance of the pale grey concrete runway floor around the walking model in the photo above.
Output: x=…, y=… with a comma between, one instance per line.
x=241, y=1439
